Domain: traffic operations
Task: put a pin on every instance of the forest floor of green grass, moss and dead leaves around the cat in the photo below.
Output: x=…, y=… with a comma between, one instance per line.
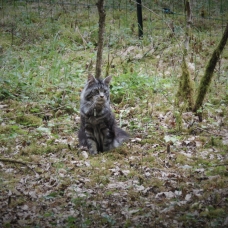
x=173, y=171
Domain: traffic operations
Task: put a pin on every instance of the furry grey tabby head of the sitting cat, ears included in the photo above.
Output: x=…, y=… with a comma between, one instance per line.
x=97, y=91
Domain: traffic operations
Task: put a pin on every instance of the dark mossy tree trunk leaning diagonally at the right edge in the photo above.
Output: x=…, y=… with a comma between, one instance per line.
x=206, y=79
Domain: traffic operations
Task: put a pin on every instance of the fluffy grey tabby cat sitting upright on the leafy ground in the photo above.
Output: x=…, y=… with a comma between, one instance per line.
x=98, y=130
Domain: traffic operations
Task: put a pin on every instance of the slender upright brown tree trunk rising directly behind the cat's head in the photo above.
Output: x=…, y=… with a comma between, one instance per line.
x=102, y=15
